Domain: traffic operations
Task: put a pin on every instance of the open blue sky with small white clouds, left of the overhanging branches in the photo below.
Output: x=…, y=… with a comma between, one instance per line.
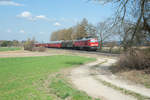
x=22, y=19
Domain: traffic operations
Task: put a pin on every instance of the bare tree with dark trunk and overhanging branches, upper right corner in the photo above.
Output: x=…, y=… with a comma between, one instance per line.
x=137, y=11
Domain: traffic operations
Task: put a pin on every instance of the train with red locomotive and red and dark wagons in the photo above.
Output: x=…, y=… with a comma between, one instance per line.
x=82, y=44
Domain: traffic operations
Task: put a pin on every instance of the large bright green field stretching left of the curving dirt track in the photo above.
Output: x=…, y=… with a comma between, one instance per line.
x=22, y=78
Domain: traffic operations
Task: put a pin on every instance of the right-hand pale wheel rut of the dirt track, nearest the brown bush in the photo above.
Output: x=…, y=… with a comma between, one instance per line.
x=105, y=75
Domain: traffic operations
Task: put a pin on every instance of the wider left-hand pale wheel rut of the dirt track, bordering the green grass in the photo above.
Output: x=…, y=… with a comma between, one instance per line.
x=84, y=81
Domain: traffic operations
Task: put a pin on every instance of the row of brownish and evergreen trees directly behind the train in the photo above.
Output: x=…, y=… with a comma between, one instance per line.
x=81, y=30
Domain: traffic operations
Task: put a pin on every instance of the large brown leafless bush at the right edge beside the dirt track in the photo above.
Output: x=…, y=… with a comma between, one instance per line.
x=134, y=59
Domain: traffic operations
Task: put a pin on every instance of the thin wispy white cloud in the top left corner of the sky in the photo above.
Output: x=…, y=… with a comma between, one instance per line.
x=9, y=3
